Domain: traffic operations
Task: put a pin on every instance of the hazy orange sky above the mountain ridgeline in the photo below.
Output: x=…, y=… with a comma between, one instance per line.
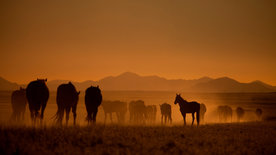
x=81, y=40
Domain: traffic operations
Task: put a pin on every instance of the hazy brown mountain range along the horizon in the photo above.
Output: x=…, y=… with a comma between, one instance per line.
x=129, y=81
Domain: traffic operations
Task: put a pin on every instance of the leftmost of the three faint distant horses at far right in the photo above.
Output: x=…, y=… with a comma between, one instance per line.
x=225, y=113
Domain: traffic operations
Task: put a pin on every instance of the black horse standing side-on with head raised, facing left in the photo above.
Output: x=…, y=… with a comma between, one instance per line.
x=188, y=107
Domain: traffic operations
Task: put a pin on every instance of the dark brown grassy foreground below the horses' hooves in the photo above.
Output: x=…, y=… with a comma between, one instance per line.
x=239, y=138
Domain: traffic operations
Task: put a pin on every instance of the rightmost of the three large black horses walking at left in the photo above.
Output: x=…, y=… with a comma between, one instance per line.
x=93, y=99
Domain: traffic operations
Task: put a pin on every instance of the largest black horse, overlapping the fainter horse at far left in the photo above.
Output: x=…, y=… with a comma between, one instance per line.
x=37, y=94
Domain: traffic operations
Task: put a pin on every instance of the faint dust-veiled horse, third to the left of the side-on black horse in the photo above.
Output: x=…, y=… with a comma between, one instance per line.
x=137, y=112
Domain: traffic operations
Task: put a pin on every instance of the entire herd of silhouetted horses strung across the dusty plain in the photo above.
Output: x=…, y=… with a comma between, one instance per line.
x=37, y=94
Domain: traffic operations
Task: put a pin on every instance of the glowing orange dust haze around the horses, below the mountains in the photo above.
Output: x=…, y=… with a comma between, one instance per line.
x=249, y=102
